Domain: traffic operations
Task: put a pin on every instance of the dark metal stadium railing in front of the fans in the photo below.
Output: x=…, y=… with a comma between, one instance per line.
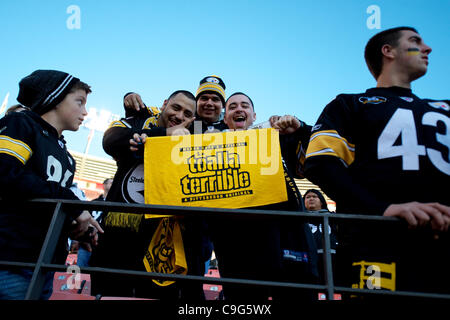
x=43, y=264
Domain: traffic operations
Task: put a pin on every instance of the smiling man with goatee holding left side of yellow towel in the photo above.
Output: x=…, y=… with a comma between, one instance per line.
x=130, y=234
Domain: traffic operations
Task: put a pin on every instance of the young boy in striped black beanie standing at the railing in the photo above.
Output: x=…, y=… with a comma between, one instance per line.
x=34, y=163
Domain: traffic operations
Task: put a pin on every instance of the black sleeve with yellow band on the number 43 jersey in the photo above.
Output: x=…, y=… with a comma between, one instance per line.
x=328, y=159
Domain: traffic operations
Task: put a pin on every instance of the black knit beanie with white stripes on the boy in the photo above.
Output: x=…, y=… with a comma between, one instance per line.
x=42, y=90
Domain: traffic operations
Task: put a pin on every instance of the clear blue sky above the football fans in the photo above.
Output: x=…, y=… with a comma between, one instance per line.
x=290, y=57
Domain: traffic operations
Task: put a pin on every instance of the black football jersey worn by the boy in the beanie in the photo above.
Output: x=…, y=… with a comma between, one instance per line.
x=34, y=163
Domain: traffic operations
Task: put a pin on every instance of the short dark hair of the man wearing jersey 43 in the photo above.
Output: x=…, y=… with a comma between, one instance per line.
x=372, y=52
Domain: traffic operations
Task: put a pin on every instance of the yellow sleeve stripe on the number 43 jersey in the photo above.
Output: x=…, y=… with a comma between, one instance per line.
x=331, y=143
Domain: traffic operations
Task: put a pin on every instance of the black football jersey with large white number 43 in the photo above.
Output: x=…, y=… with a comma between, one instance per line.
x=393, y=144
